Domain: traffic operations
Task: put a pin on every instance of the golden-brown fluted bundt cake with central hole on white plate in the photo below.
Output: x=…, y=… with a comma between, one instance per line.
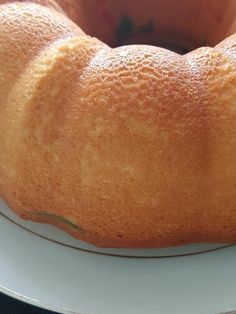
x=112, y=139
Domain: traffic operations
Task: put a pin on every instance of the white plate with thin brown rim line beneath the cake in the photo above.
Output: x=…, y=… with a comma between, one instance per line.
x=45, y=267
